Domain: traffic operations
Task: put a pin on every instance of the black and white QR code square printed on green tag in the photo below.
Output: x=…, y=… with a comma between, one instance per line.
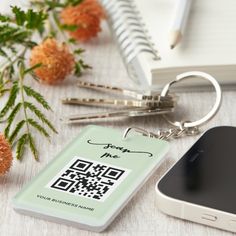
x=88, y=178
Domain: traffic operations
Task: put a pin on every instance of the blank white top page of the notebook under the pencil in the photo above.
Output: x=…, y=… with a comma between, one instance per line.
x=209, y=38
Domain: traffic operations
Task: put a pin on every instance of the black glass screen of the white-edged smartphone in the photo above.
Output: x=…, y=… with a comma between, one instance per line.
x=206, y=174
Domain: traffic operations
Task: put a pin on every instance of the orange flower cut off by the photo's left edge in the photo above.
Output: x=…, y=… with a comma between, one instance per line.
x=5, y=155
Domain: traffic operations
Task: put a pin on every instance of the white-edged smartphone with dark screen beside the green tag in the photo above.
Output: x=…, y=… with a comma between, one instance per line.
x=201, y=186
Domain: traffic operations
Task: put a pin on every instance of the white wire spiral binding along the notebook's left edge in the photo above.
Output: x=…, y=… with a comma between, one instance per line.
x=129, y=32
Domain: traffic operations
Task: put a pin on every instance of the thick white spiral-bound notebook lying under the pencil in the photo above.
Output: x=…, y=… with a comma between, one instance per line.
x=141, y=28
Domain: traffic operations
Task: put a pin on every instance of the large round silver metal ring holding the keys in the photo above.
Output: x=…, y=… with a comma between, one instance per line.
x=212, y=112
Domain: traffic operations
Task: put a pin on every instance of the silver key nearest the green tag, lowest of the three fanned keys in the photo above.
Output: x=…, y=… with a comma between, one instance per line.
x=123, y=113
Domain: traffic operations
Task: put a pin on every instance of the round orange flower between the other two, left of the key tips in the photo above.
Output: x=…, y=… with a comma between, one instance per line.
x=56, y=59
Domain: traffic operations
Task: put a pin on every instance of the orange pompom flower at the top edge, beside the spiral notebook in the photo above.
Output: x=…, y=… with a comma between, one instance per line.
x=87, y=16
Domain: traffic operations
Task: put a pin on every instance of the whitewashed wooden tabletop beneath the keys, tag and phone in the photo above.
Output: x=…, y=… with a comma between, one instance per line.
x=141, y=216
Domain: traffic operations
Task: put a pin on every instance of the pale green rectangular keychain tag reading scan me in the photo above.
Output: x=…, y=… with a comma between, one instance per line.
x=92, y=179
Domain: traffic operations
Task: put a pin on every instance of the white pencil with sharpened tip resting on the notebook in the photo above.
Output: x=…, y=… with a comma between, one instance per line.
x=179, y=21
